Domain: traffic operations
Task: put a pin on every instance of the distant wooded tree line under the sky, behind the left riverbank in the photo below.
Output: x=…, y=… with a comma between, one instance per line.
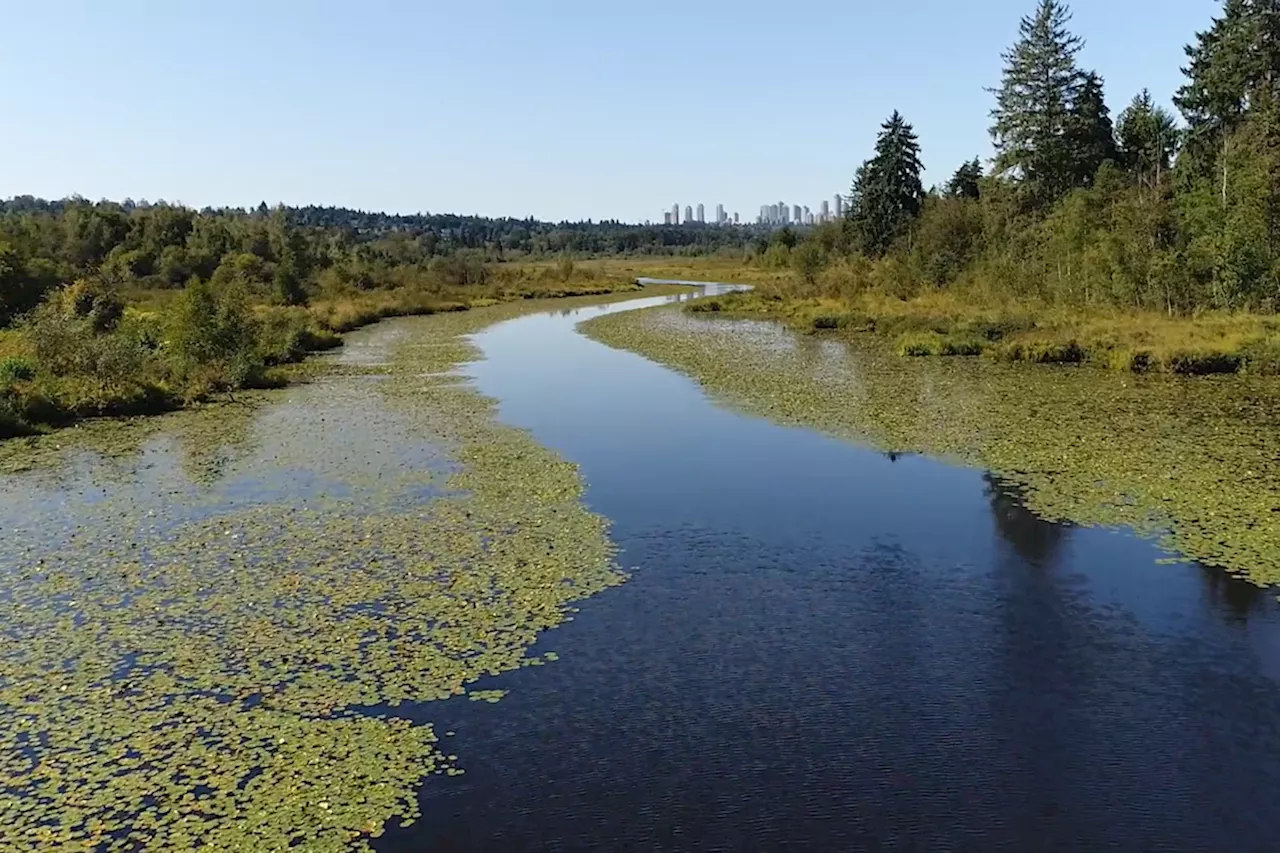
x=48, y=244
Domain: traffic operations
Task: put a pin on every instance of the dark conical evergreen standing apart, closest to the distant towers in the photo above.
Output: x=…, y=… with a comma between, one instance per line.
x=888, y=194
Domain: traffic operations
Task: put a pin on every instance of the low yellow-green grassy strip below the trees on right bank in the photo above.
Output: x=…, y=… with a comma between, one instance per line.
x=944, y=323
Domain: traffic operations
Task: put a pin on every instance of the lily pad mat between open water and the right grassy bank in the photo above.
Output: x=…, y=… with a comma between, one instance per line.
x=1192, y=462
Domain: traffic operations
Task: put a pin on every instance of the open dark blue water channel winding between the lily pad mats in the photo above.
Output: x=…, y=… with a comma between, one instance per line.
x=824, y=649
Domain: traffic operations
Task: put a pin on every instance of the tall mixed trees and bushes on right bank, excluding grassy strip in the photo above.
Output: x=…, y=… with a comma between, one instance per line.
x=1078, y=208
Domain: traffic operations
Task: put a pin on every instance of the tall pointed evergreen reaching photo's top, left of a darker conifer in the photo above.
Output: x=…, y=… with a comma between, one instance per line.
x=1035, y=104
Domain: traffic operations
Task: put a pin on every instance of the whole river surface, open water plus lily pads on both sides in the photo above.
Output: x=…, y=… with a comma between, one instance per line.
x=706, y=582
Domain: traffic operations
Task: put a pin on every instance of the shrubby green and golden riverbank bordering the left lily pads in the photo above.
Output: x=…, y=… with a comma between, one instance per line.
x=67, y=366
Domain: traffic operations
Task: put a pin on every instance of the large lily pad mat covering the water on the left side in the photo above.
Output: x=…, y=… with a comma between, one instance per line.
x=211, y=619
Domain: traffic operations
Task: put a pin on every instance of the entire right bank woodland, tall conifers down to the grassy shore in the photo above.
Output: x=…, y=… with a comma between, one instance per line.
x=1135, y=241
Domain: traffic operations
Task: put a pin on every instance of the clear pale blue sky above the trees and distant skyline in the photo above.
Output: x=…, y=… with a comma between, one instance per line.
x=560, y=110
